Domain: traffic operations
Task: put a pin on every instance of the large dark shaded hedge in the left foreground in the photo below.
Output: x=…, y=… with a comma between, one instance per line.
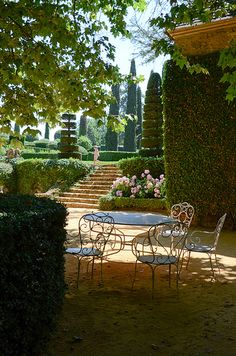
x=32, y=237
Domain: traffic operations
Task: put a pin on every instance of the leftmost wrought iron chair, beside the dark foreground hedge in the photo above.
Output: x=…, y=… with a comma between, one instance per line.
x=97, y=239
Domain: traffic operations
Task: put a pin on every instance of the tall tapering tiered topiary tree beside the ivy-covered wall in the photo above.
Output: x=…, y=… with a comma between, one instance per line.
x=152, y=140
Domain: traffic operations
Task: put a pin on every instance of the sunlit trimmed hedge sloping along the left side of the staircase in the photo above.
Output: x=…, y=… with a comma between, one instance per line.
x=38, y=175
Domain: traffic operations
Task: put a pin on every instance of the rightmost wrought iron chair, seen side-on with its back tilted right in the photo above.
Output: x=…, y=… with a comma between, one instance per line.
x=205, y=242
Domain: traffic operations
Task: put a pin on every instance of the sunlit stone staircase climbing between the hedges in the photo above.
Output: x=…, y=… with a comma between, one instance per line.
x=86, y=193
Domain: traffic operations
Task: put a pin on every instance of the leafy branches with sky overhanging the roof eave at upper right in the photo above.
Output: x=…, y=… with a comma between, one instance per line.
x=153, y=40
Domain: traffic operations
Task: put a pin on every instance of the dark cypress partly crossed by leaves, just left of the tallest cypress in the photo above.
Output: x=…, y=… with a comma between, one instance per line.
x=111, y=136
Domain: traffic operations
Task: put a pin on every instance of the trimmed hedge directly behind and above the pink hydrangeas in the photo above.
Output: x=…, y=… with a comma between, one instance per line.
x=137, y=165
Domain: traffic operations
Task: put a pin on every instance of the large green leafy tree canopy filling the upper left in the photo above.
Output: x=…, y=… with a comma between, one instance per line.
x=56, y=57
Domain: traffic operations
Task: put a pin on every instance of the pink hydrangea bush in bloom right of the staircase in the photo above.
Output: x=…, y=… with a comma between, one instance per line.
x=144, y=187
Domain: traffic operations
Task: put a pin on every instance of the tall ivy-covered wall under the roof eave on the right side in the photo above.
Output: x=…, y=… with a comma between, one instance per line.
x=200, y=141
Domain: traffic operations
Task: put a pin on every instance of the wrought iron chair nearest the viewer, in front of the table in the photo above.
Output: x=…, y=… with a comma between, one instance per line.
x=158, y=249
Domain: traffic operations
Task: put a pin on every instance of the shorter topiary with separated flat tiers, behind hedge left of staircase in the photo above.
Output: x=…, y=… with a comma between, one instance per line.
x=68, y=142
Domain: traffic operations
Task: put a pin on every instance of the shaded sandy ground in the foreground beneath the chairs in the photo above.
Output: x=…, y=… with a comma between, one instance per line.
x=112, y=319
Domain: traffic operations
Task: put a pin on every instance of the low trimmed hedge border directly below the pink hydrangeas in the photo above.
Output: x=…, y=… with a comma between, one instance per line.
x=113, y=203
